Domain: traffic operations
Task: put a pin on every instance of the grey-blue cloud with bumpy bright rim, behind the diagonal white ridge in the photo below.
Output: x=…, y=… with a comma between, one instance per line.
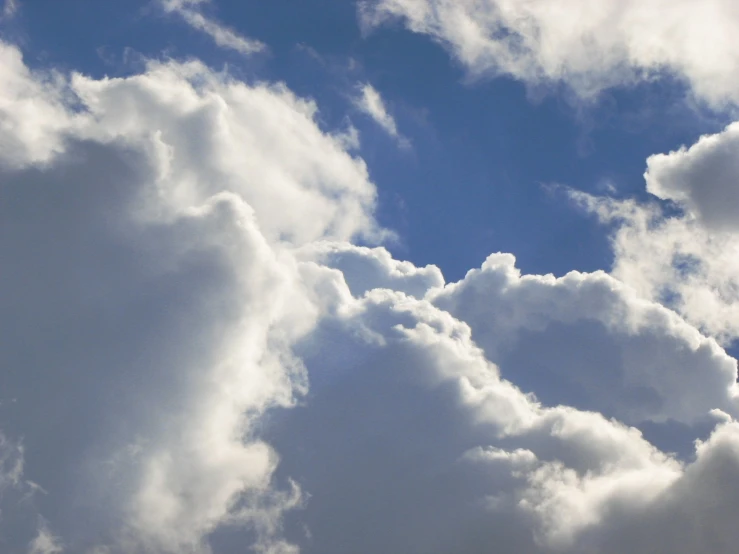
x=587, y=340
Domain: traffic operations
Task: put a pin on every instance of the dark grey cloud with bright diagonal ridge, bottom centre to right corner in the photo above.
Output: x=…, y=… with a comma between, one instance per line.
x=409, y=429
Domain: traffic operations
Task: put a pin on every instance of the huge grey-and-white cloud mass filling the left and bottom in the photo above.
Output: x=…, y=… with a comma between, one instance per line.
x=224, y=369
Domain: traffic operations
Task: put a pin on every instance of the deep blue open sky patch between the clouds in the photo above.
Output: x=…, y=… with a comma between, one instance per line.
x=483, y=150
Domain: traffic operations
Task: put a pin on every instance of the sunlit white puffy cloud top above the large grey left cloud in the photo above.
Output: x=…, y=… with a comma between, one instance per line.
x=212, y=133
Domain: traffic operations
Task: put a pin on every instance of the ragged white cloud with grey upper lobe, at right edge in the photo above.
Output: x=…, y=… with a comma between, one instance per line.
x=687, y=260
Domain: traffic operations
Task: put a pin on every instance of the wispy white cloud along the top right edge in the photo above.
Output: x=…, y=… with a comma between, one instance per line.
x=585, y=45
